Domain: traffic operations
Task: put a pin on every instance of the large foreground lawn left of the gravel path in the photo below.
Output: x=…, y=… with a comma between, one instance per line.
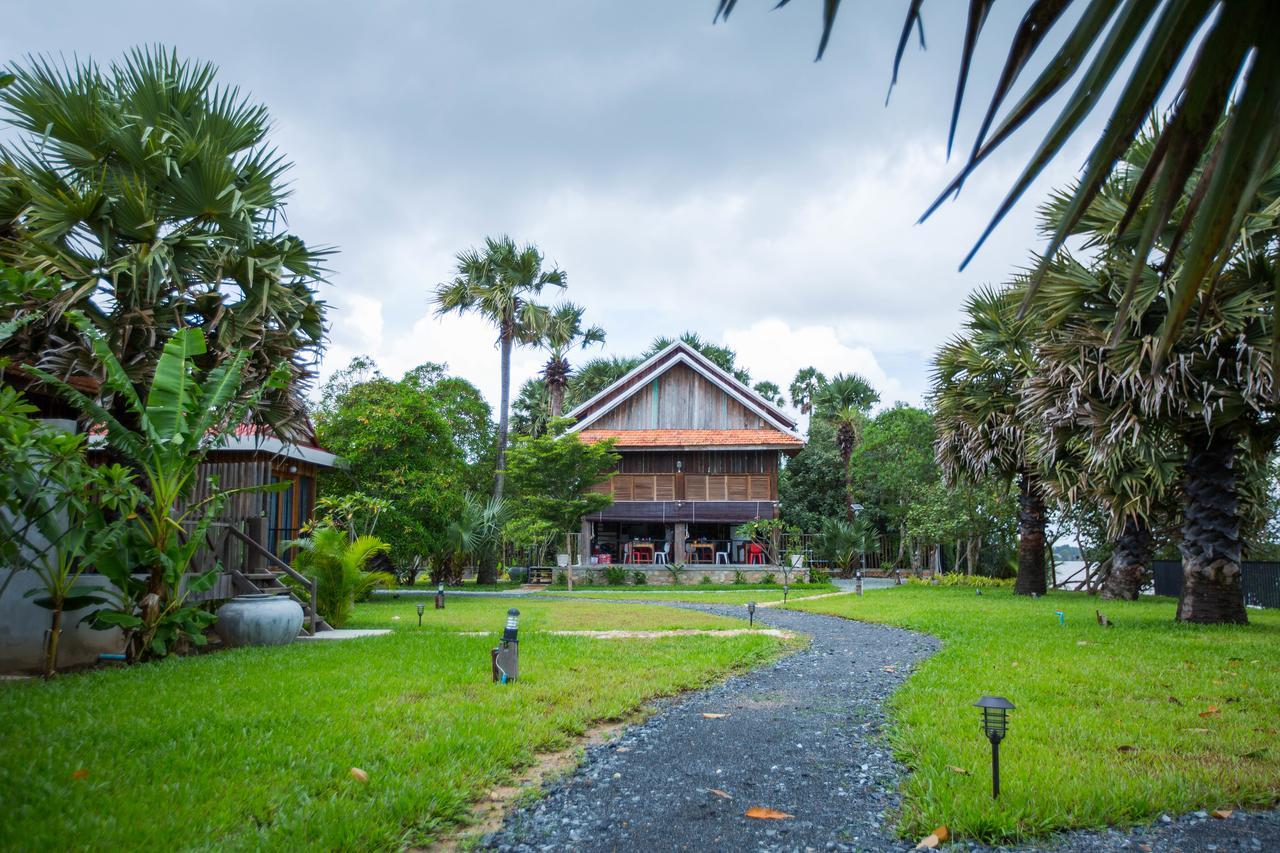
x=253, y=749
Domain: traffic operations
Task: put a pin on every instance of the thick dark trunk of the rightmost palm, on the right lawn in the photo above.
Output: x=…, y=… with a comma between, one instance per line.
x=1212, y=532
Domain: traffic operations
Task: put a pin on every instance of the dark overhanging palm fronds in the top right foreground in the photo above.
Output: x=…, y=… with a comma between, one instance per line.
x=1232, y=58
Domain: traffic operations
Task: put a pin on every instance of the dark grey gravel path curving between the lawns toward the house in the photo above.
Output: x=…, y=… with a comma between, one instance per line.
x=802, y=736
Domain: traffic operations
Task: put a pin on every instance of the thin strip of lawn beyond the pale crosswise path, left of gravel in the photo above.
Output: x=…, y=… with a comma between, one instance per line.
x=464, y=614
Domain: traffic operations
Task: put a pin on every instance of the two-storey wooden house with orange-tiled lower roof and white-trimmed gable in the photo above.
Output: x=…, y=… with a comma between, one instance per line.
x=701, y=455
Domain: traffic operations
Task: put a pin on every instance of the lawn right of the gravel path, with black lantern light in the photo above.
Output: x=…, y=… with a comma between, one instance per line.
x=1113, y=726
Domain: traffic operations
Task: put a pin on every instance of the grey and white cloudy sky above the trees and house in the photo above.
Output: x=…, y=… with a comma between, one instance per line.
x=685, y=176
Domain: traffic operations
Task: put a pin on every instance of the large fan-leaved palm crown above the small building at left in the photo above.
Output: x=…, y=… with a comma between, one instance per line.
x=154, y=195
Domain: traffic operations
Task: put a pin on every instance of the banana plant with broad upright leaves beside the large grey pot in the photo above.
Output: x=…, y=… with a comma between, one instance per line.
x=184, y=414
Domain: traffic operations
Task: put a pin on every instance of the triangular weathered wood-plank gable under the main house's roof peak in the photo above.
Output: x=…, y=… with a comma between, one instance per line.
x=682, y=399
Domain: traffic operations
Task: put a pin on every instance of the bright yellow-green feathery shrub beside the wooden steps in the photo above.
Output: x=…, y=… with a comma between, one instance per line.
x=337, y=565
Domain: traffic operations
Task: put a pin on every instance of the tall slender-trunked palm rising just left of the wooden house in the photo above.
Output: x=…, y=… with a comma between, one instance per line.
x=501, y=285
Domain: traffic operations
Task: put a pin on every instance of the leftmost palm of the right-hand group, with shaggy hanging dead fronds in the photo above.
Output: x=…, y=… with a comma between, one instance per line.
x=977, y=381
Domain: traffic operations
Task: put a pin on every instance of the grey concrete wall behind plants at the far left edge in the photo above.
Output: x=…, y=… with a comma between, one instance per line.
x=24, y=626
